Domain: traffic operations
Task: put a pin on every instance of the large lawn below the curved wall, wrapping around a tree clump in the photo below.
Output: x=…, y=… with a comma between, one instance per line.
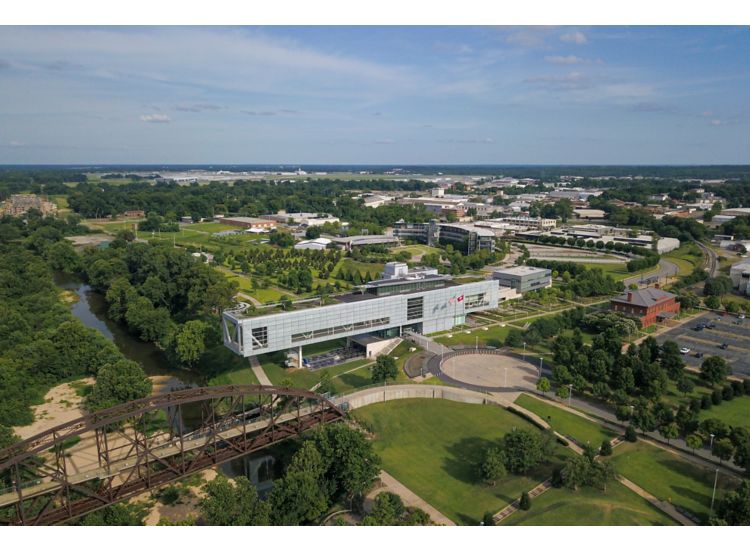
x=434, y=446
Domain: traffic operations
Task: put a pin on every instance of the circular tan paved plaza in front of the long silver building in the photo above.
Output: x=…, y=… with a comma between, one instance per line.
x=490, y=372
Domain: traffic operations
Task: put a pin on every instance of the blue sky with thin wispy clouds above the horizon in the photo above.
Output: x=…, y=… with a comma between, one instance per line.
x=385, y=95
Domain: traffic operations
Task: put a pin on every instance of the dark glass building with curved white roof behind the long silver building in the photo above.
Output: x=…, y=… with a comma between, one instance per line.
x=465, y=237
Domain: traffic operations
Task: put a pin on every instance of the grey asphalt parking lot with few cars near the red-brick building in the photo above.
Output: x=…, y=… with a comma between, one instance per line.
x=709, y=340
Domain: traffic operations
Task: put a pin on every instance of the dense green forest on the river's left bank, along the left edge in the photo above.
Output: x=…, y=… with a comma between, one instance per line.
x=41, y=343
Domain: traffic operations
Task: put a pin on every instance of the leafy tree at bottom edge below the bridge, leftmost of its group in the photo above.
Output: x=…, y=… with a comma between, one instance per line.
x=234, y=502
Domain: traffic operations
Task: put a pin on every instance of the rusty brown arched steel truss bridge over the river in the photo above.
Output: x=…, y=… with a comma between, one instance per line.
x=117, y=453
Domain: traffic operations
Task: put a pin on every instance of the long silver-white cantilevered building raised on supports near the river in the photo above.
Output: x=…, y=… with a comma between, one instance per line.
x=419, y=301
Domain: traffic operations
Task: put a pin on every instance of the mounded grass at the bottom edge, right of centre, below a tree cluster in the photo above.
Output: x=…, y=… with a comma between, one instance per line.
x=587, y=506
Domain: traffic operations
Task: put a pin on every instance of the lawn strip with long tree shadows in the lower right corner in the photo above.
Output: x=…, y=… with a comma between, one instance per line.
x=669, y=477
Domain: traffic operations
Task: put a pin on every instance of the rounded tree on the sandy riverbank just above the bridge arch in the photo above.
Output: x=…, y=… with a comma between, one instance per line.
x=118, y=382
